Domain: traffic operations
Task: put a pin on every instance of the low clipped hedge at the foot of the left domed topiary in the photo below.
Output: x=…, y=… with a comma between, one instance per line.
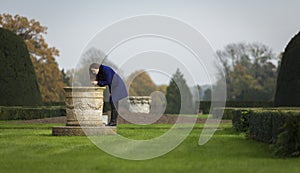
x=27, y=113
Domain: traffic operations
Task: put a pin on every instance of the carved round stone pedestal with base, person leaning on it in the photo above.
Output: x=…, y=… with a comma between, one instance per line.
x=84, y=107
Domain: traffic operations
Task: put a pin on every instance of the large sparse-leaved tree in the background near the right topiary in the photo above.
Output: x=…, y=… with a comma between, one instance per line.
x=250, y=71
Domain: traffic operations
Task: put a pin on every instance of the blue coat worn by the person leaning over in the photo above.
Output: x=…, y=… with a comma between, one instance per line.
x=117, y=88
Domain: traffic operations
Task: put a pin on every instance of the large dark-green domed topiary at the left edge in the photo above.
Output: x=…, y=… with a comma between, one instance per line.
x=19, y=86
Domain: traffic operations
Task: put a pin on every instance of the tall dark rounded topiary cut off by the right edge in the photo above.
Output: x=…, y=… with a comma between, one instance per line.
x=288, y=81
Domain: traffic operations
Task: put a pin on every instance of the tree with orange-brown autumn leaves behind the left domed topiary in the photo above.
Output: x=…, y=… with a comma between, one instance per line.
x=43, y=56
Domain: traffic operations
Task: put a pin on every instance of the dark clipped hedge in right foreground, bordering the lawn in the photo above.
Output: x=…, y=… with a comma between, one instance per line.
x=279, y=127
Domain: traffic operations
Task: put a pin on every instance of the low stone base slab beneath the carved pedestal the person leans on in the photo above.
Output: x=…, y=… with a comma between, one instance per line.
x=83, y=131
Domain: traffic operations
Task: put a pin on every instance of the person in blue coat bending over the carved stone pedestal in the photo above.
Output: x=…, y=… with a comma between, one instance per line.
x=104, y=75
